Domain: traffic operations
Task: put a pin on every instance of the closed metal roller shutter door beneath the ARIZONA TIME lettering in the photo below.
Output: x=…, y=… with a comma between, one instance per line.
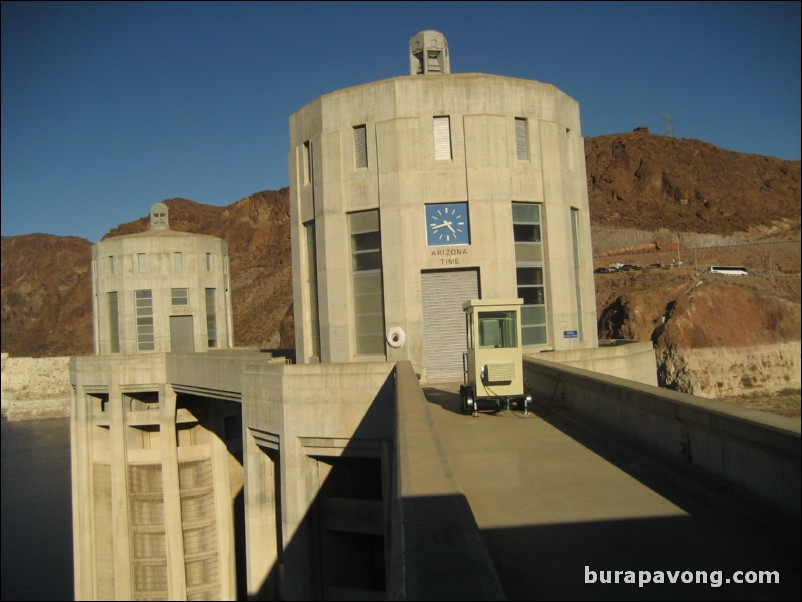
x=444, y=321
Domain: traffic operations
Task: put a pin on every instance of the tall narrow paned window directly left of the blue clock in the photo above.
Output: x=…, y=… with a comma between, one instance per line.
x=366, y=270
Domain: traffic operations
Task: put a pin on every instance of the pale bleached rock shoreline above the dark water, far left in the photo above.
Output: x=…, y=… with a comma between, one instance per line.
x=35, y=388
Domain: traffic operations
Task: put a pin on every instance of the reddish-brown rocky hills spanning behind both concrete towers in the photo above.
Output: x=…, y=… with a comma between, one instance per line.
x=653, y=199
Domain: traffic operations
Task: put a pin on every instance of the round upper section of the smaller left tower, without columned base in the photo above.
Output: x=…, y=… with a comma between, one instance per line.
x=161, y=290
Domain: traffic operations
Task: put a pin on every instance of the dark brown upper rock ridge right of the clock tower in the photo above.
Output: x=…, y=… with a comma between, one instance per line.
x=644, y=181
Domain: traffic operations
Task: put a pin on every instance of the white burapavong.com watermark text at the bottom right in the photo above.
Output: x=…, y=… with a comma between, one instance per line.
x=711, y=578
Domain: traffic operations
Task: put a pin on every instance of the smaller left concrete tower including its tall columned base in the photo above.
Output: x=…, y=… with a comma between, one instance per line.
x=155, y=466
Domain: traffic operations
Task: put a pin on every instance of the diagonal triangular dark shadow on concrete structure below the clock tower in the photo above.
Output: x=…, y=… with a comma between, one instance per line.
x=324, y=562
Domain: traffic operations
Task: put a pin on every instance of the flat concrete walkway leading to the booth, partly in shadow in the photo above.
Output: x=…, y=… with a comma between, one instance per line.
x=559, y=504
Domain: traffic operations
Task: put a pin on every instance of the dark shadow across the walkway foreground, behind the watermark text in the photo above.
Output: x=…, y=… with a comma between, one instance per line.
x=579, y=561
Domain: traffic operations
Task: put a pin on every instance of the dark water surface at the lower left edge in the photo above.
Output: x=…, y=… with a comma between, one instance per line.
x=36, y=511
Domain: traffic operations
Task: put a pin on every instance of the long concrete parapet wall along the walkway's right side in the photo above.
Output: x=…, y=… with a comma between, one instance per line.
x=754, y=449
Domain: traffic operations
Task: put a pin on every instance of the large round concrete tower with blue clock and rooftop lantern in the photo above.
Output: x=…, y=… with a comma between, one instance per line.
x=410, y=195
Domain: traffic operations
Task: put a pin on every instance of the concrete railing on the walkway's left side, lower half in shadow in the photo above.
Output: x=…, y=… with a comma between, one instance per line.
x=437, y=552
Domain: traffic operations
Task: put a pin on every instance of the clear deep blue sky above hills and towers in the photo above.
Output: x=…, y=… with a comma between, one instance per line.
x=108, y=107
